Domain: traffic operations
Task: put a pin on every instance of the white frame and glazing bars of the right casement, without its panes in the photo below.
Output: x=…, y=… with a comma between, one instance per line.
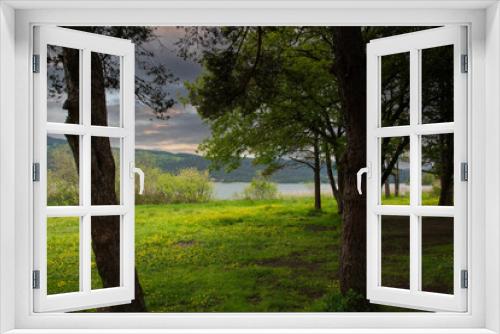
x=413, y=43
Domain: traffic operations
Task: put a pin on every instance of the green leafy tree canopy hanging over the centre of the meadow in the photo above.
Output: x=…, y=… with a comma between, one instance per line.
x=263, y=77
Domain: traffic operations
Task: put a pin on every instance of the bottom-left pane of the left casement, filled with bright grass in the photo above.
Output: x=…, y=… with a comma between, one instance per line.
x=63, y=255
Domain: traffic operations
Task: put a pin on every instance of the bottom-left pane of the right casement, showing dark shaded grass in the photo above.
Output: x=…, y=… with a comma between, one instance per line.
x=395, y=251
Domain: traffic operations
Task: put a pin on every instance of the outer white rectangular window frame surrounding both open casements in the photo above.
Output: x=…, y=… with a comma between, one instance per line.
x=16, y=20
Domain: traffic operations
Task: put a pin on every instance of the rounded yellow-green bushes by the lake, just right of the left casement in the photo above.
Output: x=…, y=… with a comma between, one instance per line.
x=189, y=185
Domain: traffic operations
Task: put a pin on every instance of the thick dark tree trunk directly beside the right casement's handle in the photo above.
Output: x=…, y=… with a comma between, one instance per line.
x=350, y=70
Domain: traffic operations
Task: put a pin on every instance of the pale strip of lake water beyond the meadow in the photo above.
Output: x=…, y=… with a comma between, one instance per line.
x=231, y=190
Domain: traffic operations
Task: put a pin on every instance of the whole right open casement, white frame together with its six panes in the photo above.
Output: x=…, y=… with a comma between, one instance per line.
x=417, y=170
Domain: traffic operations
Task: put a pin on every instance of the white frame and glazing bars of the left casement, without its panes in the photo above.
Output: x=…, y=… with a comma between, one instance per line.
x=86, y=43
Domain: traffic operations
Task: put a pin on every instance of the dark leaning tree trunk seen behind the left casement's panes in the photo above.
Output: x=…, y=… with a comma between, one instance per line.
x=105, y=230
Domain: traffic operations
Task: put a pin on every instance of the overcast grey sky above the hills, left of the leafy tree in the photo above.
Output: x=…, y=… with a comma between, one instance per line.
x=184, y=130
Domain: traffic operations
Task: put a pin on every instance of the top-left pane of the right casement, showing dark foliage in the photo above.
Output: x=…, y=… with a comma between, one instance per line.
x=395, y=89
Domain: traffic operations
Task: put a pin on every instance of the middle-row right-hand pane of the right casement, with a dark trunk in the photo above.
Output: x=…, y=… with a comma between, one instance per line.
x=437, y=169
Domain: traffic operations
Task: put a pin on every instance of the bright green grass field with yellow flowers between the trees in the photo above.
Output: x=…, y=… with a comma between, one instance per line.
x=236, y=256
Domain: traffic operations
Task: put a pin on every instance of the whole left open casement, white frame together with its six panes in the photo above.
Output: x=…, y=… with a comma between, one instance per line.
x=73, y=134
